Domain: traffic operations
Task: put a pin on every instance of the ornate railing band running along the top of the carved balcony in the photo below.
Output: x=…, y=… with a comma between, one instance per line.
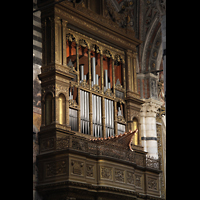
x=84, y=145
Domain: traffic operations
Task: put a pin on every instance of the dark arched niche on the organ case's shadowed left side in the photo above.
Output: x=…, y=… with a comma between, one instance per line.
x=48, y=108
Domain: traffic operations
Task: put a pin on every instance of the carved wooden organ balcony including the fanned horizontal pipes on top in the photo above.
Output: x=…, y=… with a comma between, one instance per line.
x=97, y=166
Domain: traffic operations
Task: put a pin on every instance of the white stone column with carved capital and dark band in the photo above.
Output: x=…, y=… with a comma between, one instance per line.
x=148, y=126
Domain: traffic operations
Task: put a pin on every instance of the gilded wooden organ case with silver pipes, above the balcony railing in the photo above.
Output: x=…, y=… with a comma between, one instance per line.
x=88, y=74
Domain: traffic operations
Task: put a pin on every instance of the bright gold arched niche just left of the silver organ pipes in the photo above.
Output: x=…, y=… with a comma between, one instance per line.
x=62, y=108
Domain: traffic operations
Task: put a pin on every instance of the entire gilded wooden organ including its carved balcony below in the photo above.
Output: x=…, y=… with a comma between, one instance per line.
x=90, y=139
